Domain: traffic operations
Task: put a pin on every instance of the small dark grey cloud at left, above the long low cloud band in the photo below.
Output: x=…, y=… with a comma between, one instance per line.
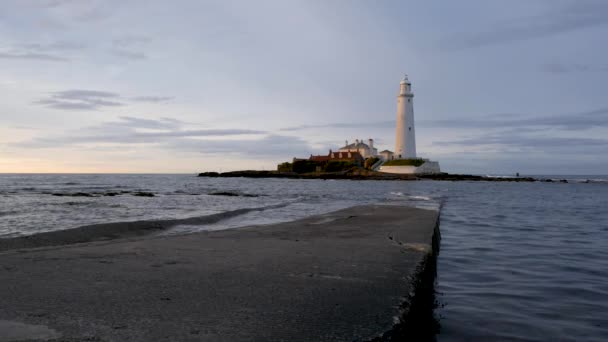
x=83, y=99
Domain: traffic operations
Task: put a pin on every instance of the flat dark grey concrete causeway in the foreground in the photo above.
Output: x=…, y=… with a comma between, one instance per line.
x=343, y=276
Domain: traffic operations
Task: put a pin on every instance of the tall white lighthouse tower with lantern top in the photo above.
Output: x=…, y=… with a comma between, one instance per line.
x=405, y=142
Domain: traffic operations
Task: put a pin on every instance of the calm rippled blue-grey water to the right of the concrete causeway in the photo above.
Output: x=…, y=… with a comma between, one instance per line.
x=524, y=262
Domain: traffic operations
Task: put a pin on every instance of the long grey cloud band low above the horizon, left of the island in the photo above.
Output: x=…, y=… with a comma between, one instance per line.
x=170, y=134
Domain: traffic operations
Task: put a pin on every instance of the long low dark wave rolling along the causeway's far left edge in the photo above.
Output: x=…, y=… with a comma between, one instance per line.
x=117, y=230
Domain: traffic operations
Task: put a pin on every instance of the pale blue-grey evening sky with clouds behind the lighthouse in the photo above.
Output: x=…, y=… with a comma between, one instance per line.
x=154, y=86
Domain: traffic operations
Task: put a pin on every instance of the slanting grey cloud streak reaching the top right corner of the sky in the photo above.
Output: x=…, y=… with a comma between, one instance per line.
x=575, y=16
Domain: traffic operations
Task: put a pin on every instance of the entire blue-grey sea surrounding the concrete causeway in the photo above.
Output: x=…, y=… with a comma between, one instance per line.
x=518, y=261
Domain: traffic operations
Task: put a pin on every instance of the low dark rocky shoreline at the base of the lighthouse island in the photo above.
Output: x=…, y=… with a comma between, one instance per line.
x=369, y=175
